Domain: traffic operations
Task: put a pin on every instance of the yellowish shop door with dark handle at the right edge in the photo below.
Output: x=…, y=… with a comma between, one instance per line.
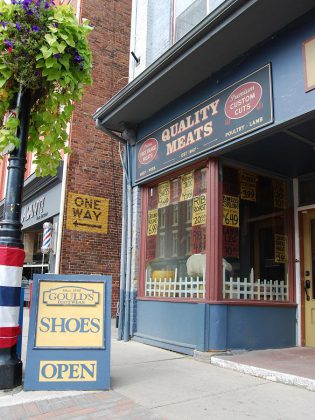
x=309, y=276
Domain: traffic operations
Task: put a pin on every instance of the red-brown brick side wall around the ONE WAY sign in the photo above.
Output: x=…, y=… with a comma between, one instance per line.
x=94, y=165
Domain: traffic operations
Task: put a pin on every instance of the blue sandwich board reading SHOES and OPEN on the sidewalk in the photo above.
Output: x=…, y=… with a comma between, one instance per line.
x=69, y=333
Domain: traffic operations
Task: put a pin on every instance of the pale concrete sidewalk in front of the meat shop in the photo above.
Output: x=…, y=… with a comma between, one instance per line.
x=151, y=383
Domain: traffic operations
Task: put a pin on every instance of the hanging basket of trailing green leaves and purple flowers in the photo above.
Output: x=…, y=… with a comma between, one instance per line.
x=43, y=48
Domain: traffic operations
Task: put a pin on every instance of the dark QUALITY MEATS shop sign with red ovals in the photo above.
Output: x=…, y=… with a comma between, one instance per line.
x=232, y=113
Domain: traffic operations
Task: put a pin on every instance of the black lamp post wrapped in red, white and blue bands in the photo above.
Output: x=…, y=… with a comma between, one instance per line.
x=11, y=250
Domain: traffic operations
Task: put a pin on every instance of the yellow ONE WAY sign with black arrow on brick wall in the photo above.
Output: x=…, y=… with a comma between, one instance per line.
x=87, y=213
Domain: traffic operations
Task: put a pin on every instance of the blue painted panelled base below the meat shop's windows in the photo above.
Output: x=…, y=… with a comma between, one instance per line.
x=185, y=327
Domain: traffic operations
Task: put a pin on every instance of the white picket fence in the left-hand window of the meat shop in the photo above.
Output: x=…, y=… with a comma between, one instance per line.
x=182, y=287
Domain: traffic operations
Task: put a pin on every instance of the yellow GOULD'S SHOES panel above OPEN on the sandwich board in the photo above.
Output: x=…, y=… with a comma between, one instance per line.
x=70, y=314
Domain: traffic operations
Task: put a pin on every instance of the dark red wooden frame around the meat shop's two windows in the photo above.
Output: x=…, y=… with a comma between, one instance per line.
x=214, y=281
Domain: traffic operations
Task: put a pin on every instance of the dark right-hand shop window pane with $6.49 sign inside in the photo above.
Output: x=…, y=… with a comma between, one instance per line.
x=254, y=237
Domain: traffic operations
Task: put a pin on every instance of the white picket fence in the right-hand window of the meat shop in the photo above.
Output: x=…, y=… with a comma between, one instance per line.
x=237, y=288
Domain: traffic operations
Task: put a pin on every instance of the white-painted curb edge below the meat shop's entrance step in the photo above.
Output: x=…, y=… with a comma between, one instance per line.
x=270, y=375
